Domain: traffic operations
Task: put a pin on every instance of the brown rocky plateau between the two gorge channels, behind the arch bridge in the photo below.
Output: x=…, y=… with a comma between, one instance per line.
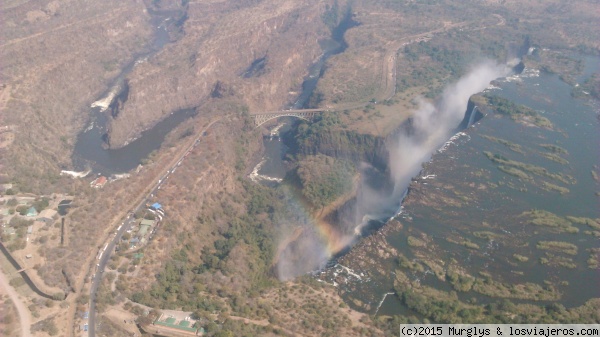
x=221, y=41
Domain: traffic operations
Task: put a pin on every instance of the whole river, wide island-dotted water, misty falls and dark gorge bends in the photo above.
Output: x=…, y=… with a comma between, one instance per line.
x=421, y=217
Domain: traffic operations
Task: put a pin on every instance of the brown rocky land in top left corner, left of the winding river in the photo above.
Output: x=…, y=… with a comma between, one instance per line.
x=57, y=57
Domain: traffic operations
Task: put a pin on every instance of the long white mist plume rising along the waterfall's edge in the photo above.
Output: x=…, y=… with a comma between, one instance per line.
x=432, y=126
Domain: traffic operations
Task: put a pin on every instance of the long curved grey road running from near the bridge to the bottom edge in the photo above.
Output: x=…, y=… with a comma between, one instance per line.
x=114, y=239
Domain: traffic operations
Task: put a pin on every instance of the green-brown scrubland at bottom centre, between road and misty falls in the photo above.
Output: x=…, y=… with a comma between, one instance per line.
x=212, y=289
